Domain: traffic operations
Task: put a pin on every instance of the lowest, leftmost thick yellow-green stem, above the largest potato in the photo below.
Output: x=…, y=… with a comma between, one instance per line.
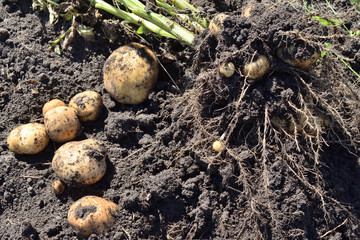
x=132, y=18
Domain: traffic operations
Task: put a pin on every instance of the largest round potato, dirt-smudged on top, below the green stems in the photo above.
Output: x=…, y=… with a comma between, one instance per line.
x=130, y=73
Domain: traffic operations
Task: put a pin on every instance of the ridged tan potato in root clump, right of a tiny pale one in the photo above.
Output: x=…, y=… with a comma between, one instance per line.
x=256, y=69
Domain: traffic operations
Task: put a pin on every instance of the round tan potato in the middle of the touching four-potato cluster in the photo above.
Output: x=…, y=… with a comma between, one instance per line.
x=62, y=124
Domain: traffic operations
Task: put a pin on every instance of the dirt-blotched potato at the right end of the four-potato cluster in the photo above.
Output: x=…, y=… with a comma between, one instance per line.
x=88, y=105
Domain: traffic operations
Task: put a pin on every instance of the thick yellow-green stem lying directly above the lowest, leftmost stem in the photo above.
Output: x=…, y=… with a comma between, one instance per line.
x=161, y=21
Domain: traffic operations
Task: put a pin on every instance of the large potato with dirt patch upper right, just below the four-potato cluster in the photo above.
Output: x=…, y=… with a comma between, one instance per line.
x=81, y=162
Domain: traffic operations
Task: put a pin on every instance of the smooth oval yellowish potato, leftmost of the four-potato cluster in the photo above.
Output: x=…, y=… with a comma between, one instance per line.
x=29, y=138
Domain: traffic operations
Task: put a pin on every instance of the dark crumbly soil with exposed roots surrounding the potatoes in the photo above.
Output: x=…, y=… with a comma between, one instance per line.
x=289, y=168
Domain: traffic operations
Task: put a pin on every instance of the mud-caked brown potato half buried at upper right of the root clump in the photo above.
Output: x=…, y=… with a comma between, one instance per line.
x=298, y=55
